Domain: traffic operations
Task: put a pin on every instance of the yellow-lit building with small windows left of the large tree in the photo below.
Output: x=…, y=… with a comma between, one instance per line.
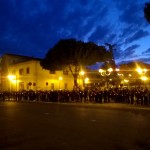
x=25, y=73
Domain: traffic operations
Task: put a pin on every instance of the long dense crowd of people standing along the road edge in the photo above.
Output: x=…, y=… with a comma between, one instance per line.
x=136, y=95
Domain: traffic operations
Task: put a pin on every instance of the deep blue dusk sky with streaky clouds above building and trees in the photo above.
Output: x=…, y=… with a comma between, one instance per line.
x=31, y=27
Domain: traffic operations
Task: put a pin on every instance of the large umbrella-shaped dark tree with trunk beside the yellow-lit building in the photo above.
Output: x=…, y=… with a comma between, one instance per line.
x=73, y=55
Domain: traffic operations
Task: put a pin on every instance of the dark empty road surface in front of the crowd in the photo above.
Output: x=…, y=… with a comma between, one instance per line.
x=52, y=126
